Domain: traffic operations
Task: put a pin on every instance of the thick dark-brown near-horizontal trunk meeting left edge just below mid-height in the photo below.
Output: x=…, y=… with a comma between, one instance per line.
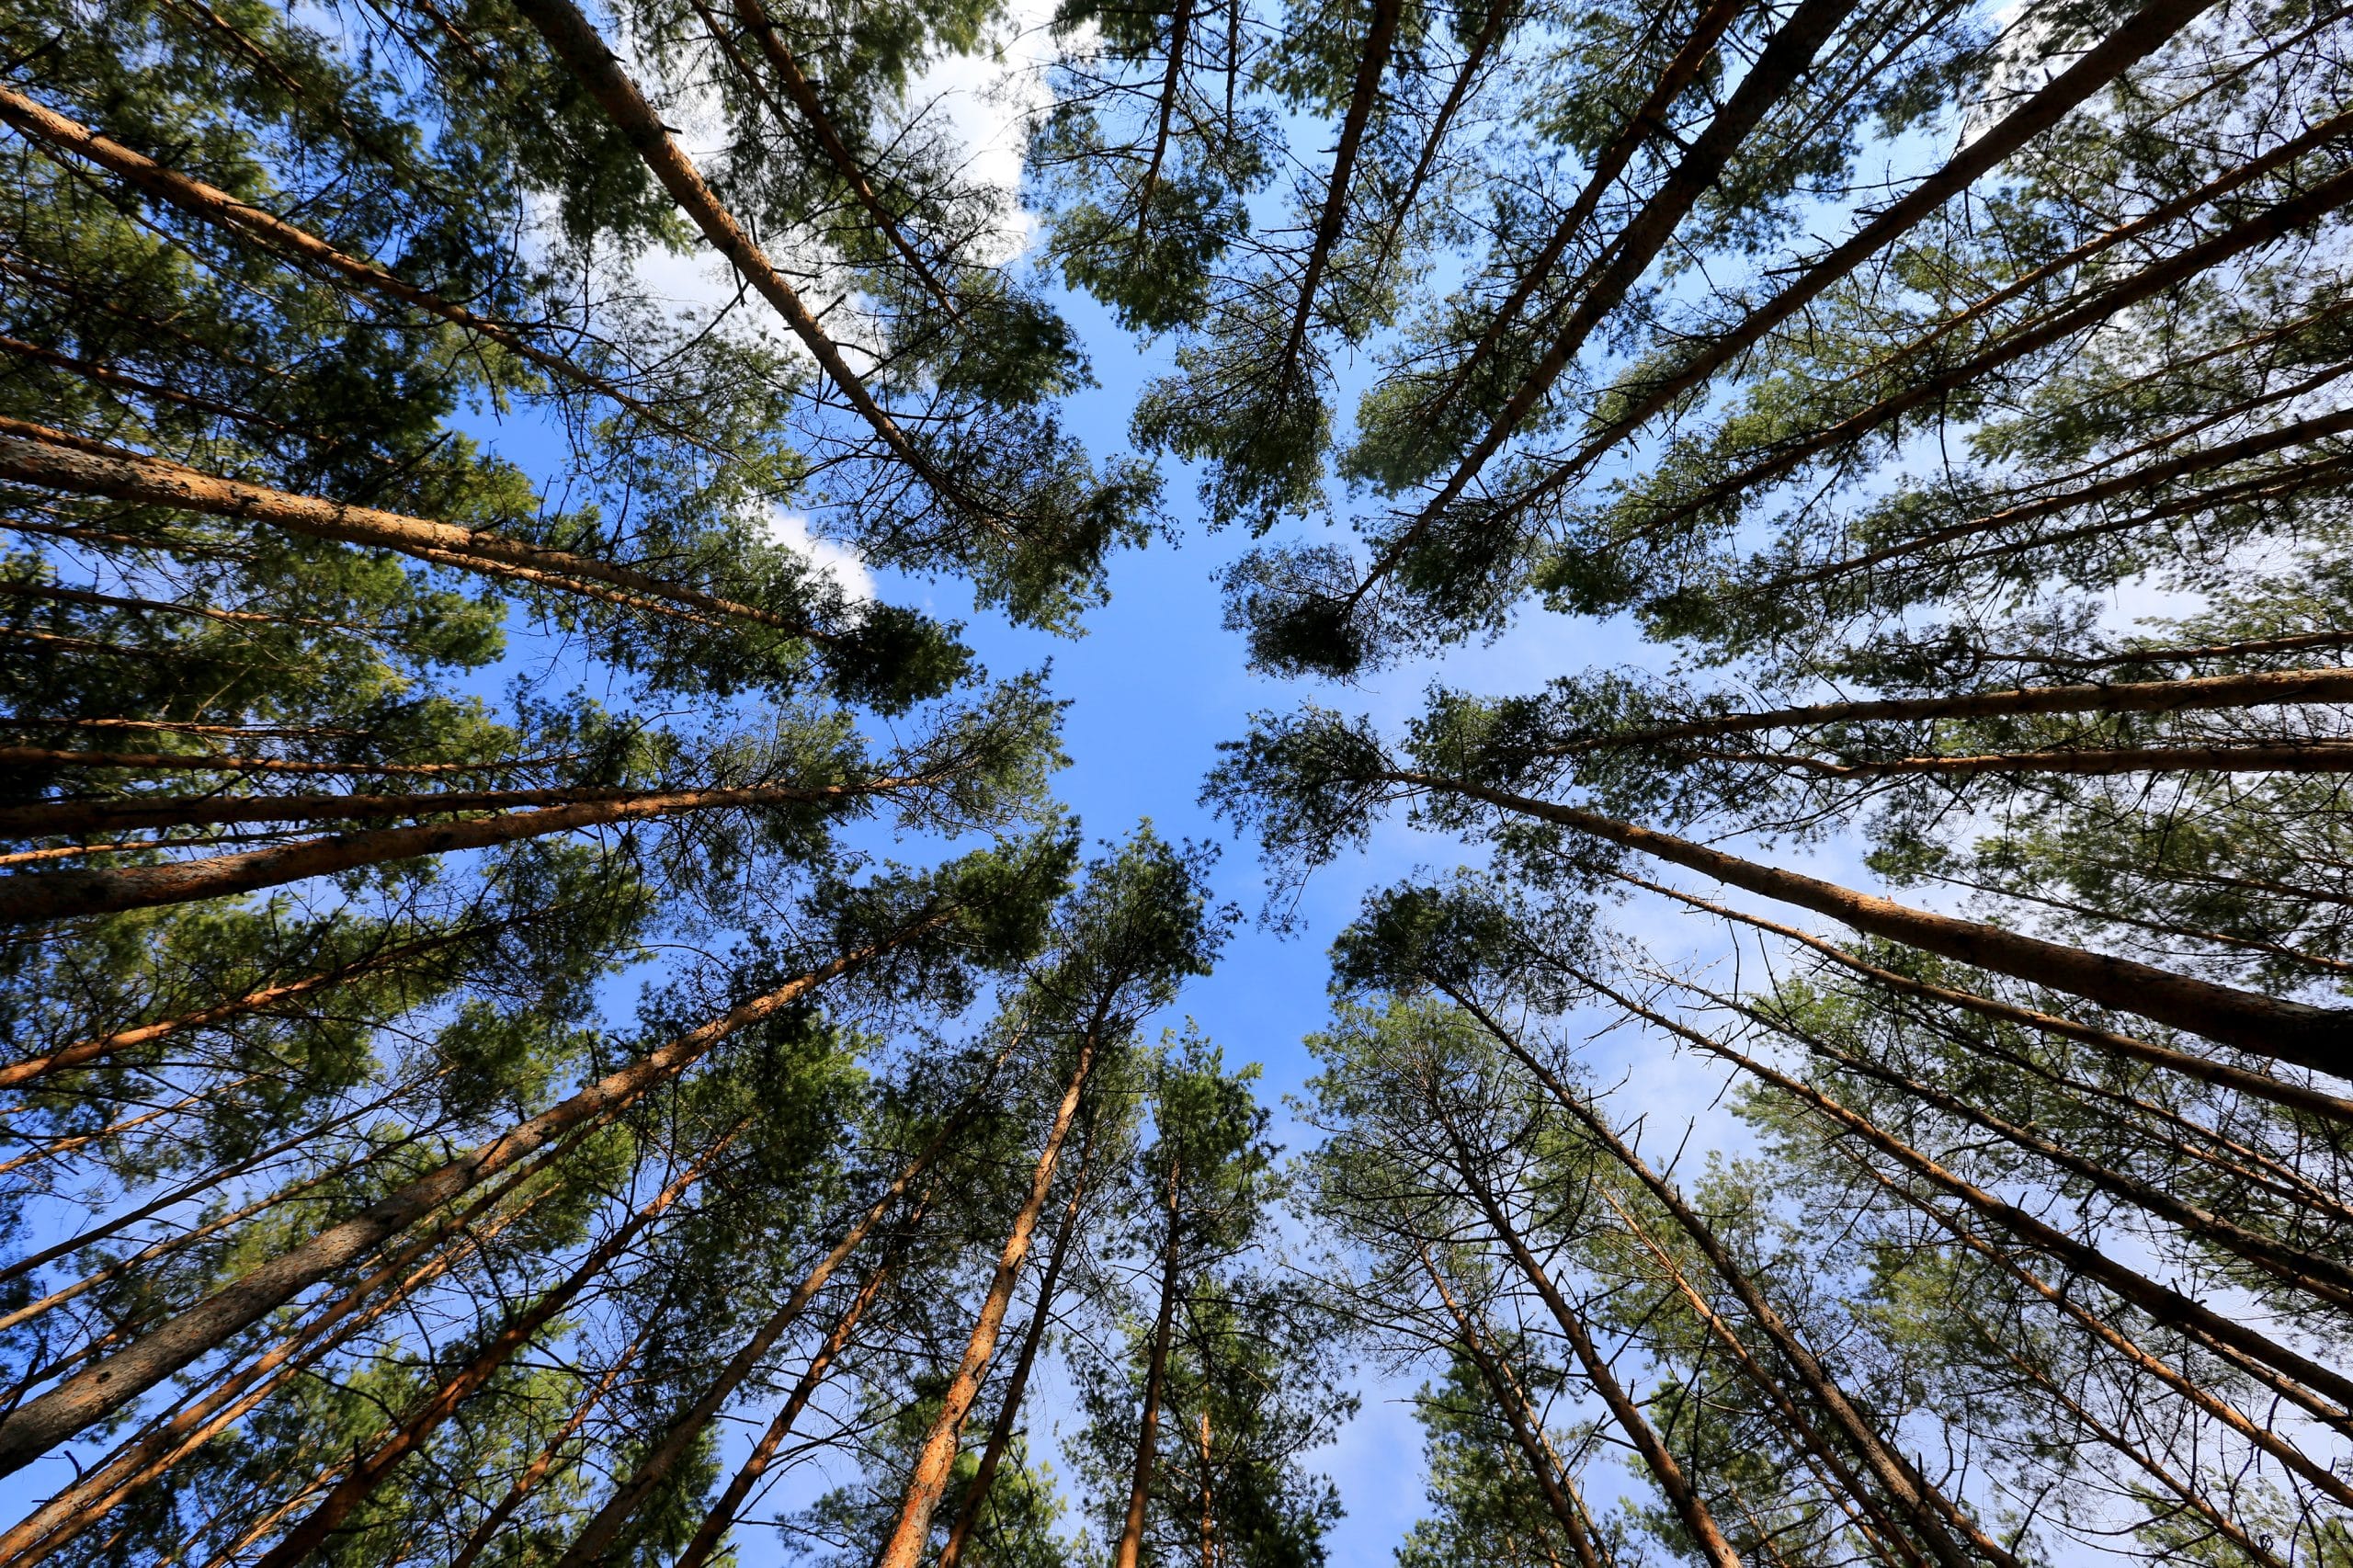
x=58, y=896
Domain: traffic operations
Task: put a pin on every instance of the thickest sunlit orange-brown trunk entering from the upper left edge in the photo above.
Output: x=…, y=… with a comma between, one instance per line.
x=55, y=460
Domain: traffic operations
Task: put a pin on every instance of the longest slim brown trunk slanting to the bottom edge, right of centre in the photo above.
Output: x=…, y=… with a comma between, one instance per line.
x=1928, y=1508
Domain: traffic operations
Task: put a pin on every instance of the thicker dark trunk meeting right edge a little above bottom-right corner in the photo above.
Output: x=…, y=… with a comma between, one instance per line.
x=2161, y=1303
